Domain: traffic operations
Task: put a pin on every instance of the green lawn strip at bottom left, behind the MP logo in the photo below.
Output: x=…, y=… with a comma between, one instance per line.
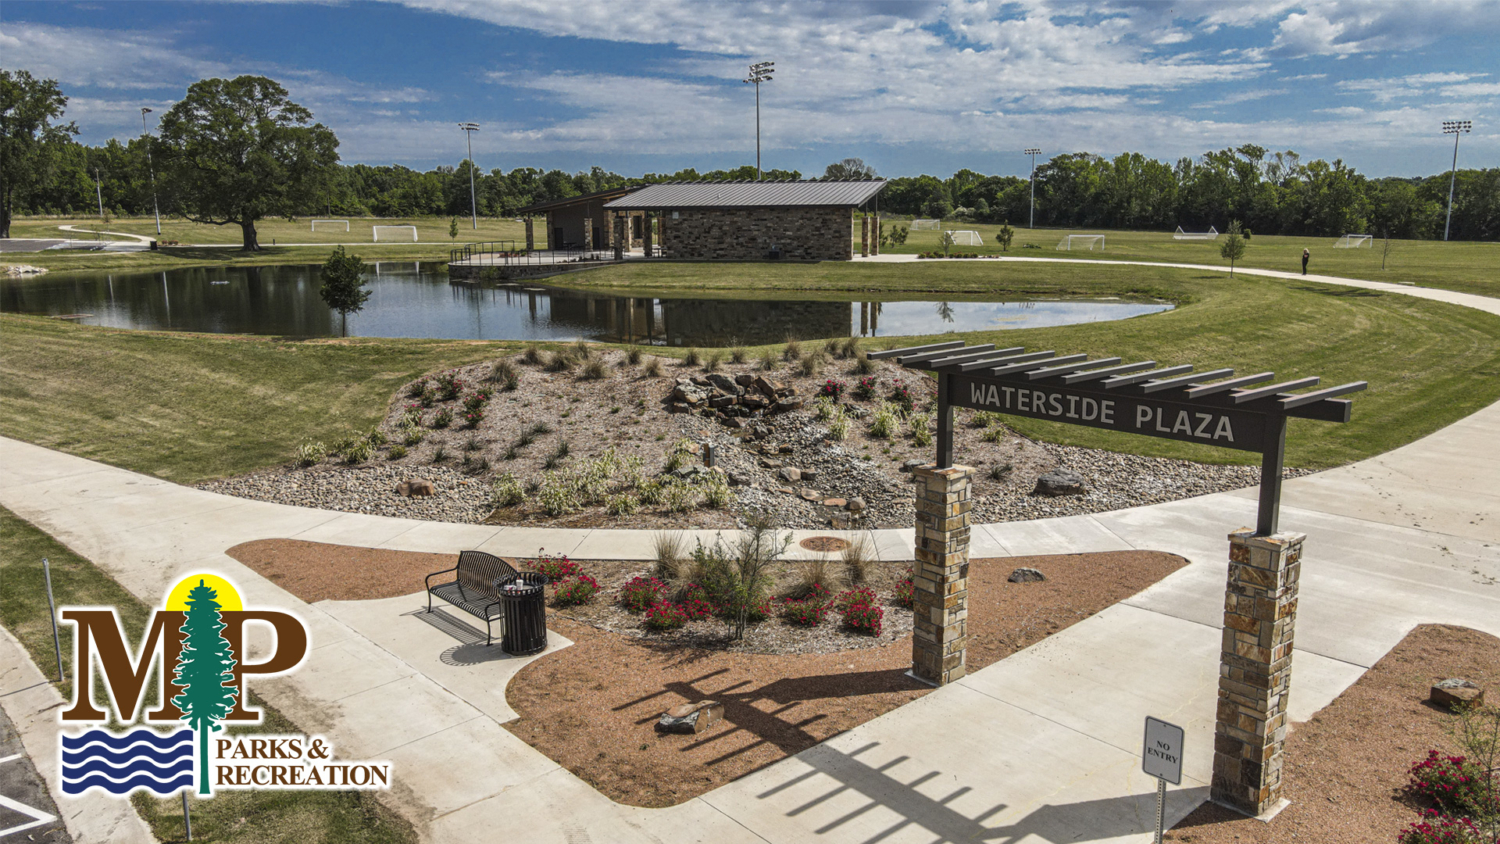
x=232, y=818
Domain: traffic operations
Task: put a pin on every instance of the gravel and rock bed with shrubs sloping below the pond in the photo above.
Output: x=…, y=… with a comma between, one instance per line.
x=626, y=412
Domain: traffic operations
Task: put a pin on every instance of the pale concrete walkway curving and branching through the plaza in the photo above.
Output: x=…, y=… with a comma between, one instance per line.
x=1039, y=747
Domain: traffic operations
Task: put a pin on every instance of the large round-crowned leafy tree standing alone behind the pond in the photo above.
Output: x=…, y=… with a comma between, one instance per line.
x=239, y=151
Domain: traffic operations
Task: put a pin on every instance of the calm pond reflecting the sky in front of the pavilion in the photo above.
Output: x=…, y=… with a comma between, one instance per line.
x=418, y=301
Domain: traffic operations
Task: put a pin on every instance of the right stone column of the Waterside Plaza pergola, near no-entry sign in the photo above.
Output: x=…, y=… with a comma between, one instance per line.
x=1261, y=614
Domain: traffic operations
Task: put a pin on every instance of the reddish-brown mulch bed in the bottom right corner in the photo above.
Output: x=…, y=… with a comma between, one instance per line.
x=1346, y=768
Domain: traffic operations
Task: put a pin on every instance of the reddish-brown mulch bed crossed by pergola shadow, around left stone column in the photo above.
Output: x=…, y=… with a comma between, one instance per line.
x=593, y=707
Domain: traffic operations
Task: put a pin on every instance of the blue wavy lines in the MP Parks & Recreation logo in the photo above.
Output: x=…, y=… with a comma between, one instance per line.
x=124, y=764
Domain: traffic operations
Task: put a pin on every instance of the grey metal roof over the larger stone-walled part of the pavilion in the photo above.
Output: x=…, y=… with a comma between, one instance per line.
x=749, y=196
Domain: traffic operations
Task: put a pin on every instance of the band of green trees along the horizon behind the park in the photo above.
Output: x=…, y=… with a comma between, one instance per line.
x=238, y=151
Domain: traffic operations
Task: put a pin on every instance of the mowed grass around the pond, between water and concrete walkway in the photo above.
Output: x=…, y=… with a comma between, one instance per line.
x=200, y=407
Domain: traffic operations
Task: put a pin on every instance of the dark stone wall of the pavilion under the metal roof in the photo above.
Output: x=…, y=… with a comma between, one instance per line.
x=740, y=235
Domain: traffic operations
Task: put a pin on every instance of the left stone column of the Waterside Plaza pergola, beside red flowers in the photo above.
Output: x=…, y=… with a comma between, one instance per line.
x=941, y=575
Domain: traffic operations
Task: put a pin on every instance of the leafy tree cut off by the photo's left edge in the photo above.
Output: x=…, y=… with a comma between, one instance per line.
x=31, y=137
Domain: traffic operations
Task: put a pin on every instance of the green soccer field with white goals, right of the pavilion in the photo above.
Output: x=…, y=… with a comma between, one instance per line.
x=1462, y=266
